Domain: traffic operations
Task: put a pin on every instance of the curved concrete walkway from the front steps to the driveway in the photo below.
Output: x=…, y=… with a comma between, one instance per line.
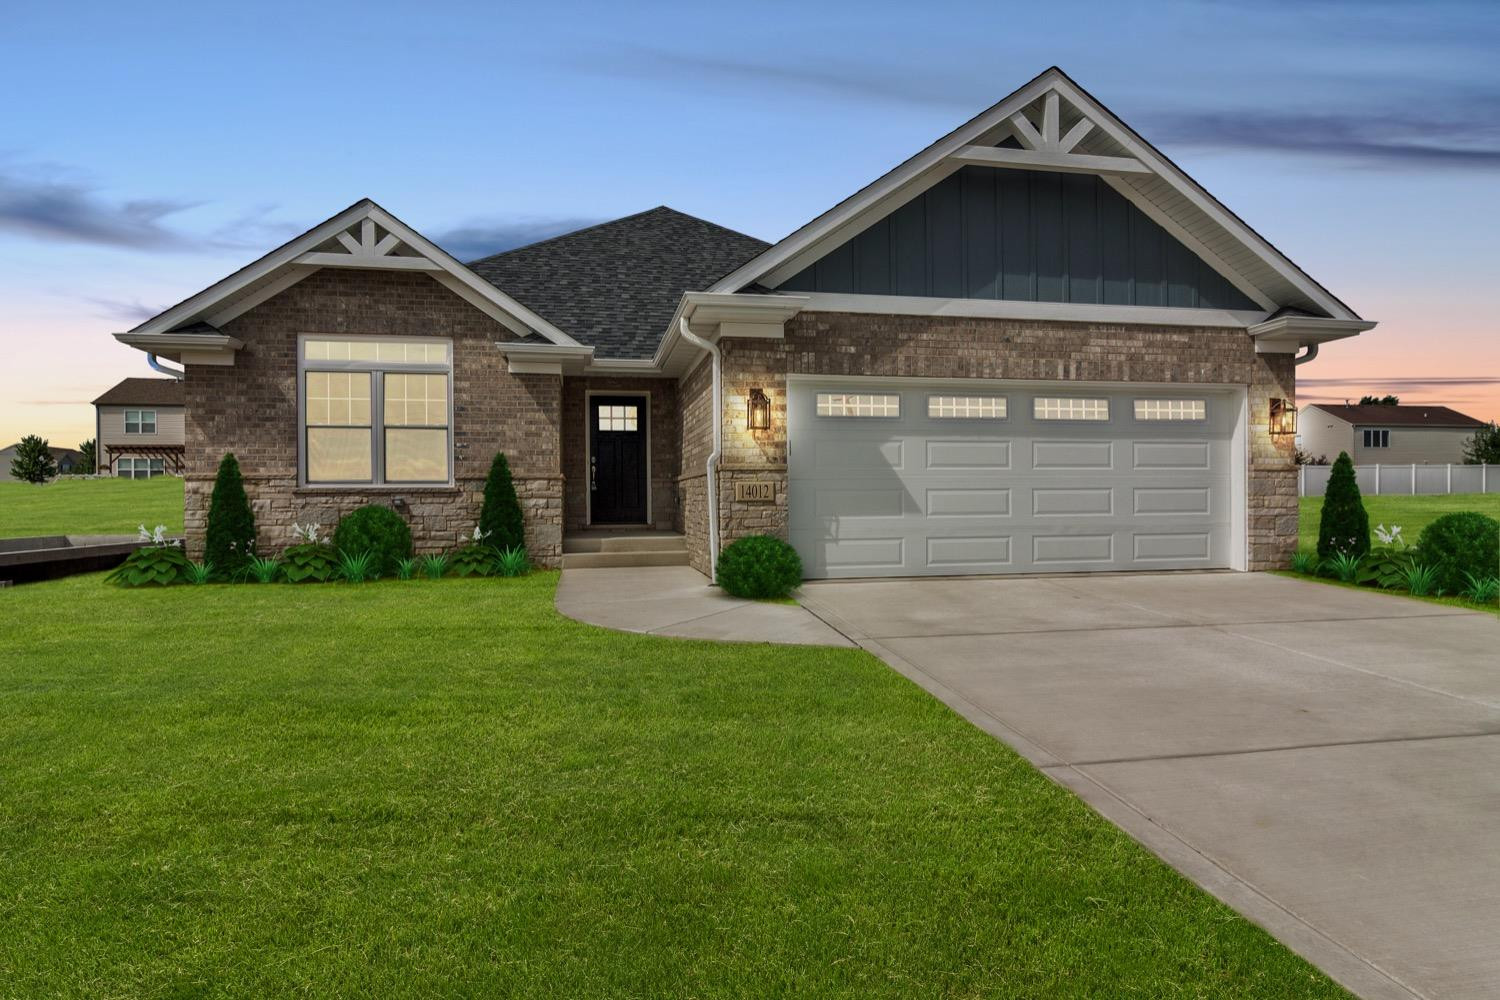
x=682, y=602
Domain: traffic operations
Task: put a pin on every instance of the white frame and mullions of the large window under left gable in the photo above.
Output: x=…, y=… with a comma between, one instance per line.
x=377, y=481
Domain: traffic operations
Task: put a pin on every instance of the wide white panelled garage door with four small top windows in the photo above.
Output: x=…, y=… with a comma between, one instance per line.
x=923, y=479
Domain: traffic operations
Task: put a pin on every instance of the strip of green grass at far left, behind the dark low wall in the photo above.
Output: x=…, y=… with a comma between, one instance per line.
x=91, y=507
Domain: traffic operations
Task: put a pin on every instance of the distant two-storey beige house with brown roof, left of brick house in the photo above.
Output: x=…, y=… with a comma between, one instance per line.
x=140, y=428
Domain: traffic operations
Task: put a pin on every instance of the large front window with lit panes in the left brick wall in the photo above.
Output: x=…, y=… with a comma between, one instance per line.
x=377, y=412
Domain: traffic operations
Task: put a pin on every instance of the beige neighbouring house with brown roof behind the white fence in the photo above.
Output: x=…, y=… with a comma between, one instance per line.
x=1381, y=434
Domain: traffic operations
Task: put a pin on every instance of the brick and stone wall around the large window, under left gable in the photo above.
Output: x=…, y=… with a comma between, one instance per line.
x=251, y=410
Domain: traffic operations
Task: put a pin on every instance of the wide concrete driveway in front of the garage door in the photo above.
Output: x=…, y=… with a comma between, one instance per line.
x=1325, y=761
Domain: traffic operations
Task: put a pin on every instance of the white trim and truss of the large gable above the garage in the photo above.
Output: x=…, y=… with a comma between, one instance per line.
x=947, y=155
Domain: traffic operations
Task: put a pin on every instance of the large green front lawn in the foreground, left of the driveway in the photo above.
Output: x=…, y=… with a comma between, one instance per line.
x=443, y=788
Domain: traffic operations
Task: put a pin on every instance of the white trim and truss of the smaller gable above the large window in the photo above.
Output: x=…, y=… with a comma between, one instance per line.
x=289, y=265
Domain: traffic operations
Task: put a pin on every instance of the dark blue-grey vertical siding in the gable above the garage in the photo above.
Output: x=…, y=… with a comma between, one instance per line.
x=1033, y=236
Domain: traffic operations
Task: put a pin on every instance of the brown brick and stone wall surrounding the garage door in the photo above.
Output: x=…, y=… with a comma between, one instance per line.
x=844, y=344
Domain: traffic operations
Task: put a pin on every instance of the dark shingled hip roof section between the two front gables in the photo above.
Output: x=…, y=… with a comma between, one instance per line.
x=616, y=286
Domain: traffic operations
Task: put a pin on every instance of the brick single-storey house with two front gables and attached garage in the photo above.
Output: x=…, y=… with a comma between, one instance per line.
x=1036, y=346
